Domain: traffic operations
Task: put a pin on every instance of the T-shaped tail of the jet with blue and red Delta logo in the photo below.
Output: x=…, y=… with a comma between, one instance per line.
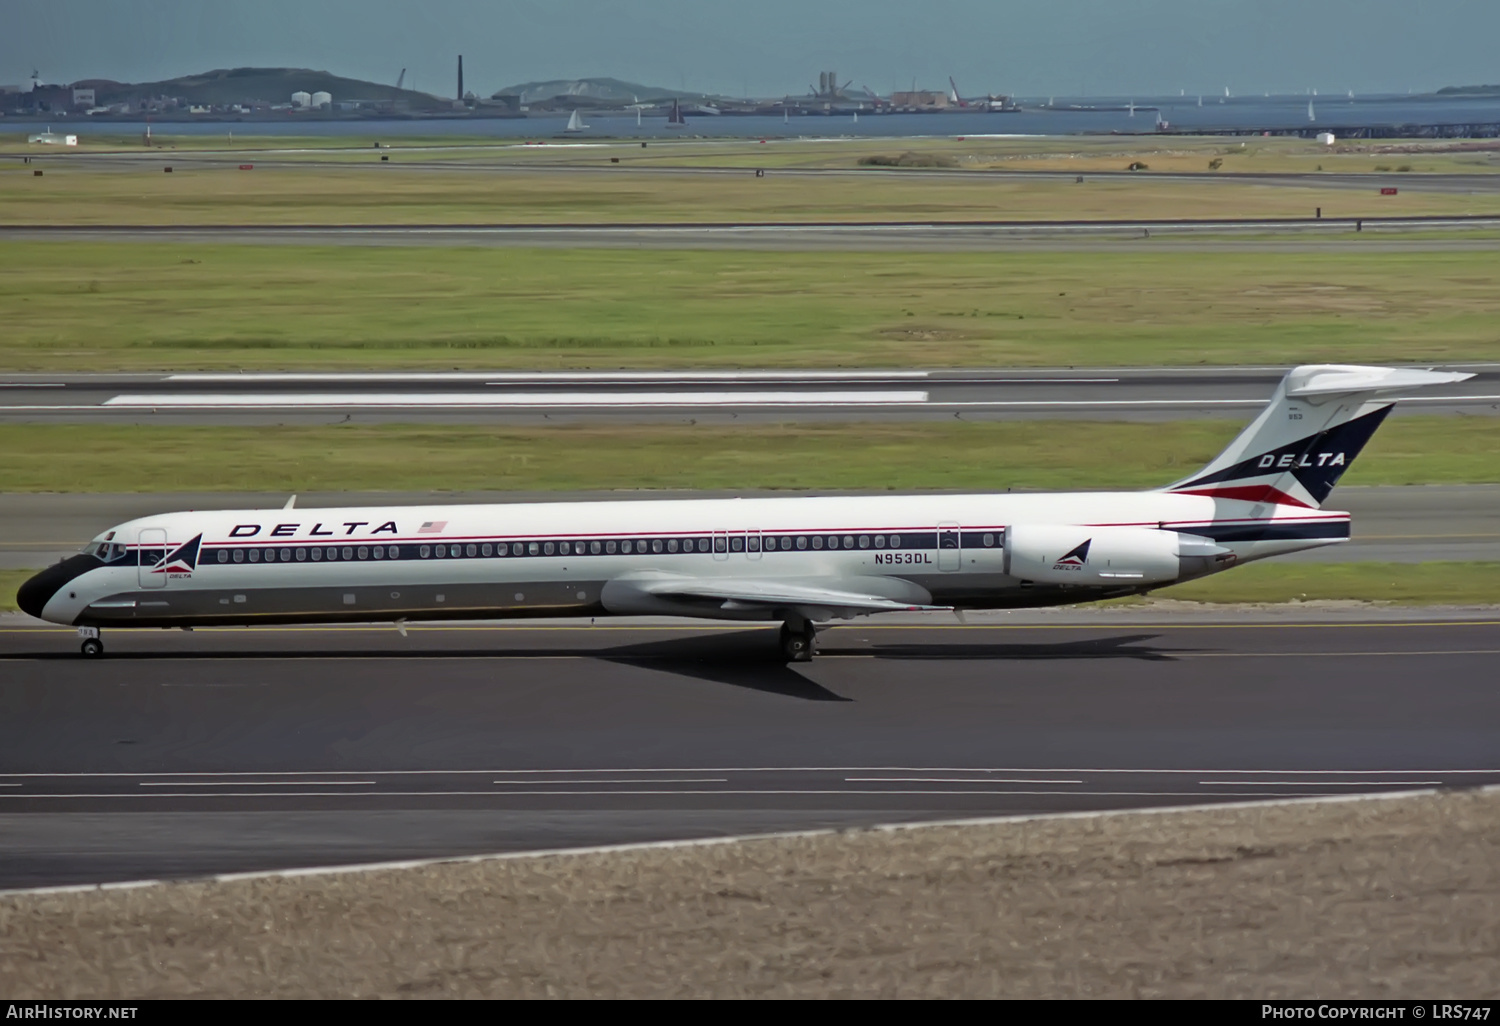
x=1309, y=434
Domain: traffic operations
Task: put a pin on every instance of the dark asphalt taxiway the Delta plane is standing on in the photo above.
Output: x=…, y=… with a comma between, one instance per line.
x=239, y=751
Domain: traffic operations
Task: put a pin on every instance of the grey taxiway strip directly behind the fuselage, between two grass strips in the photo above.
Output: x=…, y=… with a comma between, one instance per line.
x=1396, y=524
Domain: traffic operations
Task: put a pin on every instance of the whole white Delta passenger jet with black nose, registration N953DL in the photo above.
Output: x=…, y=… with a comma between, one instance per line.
x=802, y=562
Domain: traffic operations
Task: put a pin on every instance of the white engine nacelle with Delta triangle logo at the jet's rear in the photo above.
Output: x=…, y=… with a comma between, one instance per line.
x=1097, y=557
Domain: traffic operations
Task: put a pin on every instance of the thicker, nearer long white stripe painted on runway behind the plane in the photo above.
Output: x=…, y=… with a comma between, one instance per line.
x=520, y=400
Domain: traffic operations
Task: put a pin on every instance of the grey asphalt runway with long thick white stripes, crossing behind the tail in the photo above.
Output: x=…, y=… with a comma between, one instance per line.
x=706, y=397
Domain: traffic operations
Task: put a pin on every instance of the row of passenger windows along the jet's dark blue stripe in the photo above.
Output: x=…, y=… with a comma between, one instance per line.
x=604, y=547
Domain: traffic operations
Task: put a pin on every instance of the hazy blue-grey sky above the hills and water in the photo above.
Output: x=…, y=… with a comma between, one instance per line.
x=775, y=47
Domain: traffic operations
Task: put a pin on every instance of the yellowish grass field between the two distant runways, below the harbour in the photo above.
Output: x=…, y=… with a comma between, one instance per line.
x=71, y=194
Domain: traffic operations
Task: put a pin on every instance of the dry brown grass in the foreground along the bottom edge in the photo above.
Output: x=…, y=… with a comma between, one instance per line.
x=1378, y=899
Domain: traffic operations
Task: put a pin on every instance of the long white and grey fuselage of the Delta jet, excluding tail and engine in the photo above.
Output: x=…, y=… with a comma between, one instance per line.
x=571, y=559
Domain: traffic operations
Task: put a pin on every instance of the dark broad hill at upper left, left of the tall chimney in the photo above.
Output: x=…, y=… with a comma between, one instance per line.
x=247, y=85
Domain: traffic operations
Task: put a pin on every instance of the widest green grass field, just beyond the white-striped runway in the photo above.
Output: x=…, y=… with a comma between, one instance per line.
x=98, y=305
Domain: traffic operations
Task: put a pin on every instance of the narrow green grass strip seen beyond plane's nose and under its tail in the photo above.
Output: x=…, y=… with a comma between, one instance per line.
x=1414, y=584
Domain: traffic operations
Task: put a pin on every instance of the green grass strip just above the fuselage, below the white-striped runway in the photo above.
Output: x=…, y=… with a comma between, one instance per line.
x=898, y=457
